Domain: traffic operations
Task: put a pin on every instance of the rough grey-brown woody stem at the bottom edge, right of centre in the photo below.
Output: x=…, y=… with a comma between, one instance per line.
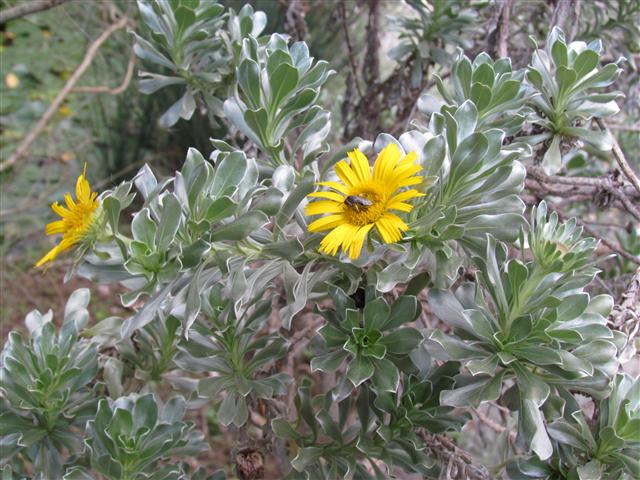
x=459, y=462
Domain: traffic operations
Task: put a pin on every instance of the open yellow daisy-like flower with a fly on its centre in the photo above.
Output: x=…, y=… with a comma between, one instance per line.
x=365, y=199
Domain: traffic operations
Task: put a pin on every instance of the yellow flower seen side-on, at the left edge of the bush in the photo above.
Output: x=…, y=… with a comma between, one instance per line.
x=77, y=219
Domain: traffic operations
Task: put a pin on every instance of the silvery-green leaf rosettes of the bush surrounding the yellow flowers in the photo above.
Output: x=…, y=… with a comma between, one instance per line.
x=480, y=302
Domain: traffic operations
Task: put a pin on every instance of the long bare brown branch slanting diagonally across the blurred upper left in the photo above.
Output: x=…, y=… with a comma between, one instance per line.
x=53, y=108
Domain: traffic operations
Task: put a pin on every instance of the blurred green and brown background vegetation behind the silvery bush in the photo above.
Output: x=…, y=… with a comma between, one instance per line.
x=116, y=134
